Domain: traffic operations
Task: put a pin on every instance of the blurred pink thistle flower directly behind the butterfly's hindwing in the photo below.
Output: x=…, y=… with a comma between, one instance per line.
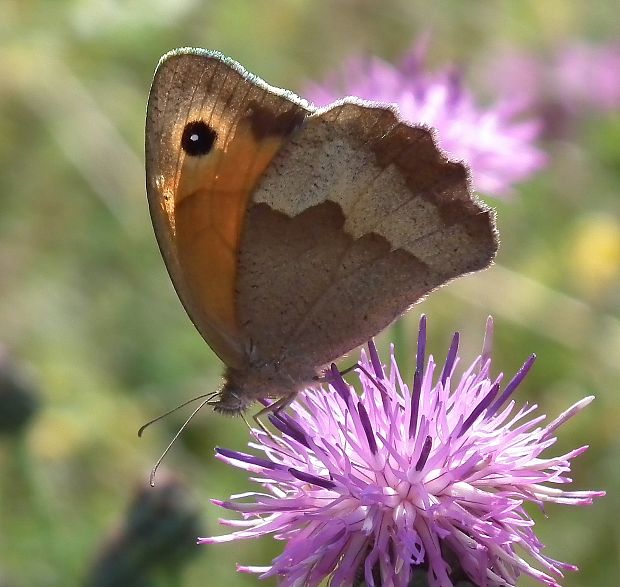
x=499, y=148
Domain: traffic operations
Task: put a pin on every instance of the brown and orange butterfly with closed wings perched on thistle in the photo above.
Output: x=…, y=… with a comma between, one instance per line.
x=293, y=234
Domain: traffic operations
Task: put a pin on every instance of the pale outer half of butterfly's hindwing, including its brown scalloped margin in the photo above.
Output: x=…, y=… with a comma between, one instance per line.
x=389, y=178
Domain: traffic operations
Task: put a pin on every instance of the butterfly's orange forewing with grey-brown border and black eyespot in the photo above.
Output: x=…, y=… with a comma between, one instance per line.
x=212, y=130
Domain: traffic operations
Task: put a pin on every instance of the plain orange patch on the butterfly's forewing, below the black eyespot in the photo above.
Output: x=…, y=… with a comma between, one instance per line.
x=210, y=203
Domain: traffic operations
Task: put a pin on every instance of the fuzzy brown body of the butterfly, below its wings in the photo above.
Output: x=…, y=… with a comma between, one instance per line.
x=254, y=381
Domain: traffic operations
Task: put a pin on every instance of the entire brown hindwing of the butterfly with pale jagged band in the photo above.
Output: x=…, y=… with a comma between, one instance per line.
x=359, y=216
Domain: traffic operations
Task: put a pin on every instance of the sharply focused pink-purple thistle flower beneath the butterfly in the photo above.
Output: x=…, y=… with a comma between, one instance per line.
x=432, y=477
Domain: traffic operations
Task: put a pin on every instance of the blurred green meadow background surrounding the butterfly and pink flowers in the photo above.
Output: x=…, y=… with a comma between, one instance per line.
x=94, y=341
